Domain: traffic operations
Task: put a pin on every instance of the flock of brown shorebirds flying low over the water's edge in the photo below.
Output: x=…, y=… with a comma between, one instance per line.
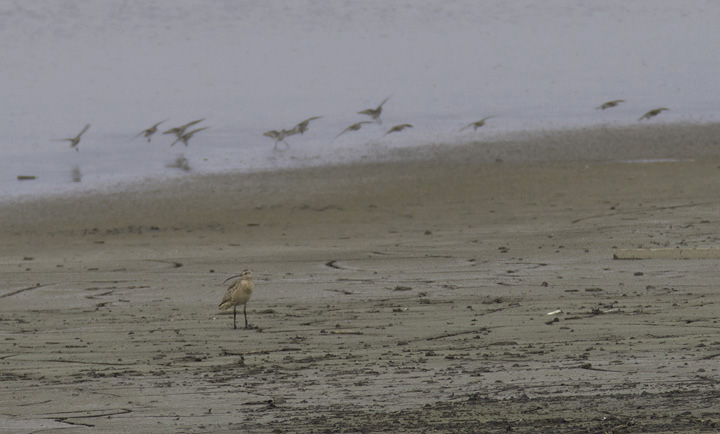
x=182, y=135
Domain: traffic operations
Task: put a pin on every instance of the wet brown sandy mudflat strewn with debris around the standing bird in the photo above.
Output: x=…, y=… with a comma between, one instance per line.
x=403, y=296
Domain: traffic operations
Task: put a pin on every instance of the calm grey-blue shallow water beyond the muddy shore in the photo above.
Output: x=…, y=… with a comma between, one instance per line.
x=249, y=67
